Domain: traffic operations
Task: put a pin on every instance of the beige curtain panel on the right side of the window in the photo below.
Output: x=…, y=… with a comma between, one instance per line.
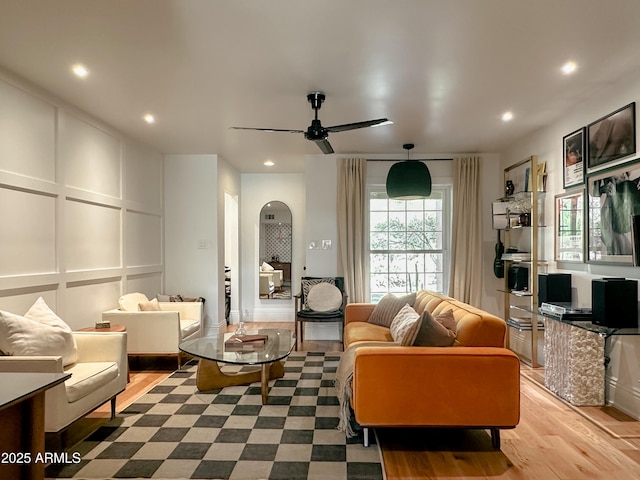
x=466, y=242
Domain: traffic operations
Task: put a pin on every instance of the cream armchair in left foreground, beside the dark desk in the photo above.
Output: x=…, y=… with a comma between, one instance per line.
x=98, y=375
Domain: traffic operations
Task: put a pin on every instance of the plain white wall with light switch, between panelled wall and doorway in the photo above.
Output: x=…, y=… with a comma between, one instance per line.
x=195, y=186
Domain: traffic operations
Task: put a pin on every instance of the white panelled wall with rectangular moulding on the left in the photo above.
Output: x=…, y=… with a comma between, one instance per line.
x=81, y=206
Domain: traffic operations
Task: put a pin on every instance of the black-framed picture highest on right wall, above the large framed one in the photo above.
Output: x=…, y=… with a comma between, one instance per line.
x=612, y=137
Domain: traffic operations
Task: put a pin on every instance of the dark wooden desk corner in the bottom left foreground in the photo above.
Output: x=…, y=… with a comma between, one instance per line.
x=22, y=422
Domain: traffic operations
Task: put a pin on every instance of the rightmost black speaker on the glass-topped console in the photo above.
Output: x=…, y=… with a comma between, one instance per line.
x=615, y=302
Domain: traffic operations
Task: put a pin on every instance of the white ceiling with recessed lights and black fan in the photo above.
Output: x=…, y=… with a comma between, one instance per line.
x=442, y=71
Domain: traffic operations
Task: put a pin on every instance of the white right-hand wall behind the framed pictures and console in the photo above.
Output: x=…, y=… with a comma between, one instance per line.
x=623, y=372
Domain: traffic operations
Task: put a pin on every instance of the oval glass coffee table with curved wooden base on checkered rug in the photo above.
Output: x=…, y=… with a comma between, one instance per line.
x=211, y=351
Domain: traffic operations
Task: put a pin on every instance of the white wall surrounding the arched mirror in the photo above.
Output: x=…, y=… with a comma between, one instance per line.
x=258, y=190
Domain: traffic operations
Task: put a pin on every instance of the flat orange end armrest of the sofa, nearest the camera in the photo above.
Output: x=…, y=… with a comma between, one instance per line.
x=436, y=386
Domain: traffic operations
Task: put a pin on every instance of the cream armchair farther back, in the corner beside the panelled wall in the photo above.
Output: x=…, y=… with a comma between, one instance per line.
x=158, y=331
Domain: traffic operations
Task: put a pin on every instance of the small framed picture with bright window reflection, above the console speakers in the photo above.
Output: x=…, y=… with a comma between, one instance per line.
x=569, y=212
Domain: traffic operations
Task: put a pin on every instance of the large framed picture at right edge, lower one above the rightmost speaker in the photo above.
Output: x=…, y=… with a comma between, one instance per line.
x=613, y=197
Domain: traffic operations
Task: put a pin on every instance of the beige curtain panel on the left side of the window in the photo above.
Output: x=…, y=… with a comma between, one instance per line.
x=352, y=197
